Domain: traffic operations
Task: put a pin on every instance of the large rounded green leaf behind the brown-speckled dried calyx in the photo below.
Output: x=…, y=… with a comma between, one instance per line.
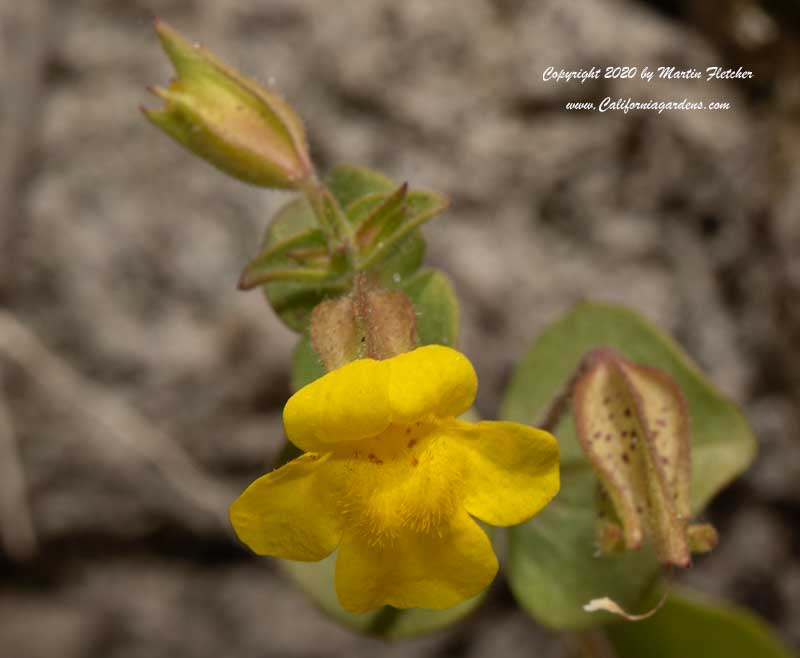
x=552, y=567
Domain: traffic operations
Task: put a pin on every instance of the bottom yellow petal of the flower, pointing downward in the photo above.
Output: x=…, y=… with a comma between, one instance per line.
x=437, y=569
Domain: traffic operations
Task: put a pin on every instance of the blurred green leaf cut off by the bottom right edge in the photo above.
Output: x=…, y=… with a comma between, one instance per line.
x=690, y=626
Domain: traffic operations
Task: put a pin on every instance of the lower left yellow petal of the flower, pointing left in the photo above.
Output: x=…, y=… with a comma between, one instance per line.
x=287, y=513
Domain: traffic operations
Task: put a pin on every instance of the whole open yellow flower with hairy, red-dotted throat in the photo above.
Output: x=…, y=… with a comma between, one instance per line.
x=392, y=479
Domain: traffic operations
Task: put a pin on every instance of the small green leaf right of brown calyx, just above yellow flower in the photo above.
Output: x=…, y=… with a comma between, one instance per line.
x=436, y=305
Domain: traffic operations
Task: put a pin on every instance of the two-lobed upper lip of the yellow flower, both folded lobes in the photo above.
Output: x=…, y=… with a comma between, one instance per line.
x=361, y=399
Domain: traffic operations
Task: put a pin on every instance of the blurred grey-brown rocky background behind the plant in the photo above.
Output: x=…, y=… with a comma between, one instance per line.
x=141, y=392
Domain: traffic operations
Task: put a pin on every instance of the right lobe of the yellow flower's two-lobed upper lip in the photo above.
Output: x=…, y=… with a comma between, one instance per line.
x=434, y=380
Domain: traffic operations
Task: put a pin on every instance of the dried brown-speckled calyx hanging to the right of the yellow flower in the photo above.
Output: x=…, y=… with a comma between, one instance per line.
x=633, y=424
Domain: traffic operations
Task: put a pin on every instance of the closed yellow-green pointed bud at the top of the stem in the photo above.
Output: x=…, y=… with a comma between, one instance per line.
x=238, y=126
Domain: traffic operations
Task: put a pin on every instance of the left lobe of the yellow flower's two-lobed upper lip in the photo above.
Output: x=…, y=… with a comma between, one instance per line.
x=347, y=404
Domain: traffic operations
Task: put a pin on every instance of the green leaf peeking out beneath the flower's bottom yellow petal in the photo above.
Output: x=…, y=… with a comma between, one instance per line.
x=317, y=580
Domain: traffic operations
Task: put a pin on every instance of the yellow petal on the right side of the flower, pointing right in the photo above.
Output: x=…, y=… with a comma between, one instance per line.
x=512, y=469
